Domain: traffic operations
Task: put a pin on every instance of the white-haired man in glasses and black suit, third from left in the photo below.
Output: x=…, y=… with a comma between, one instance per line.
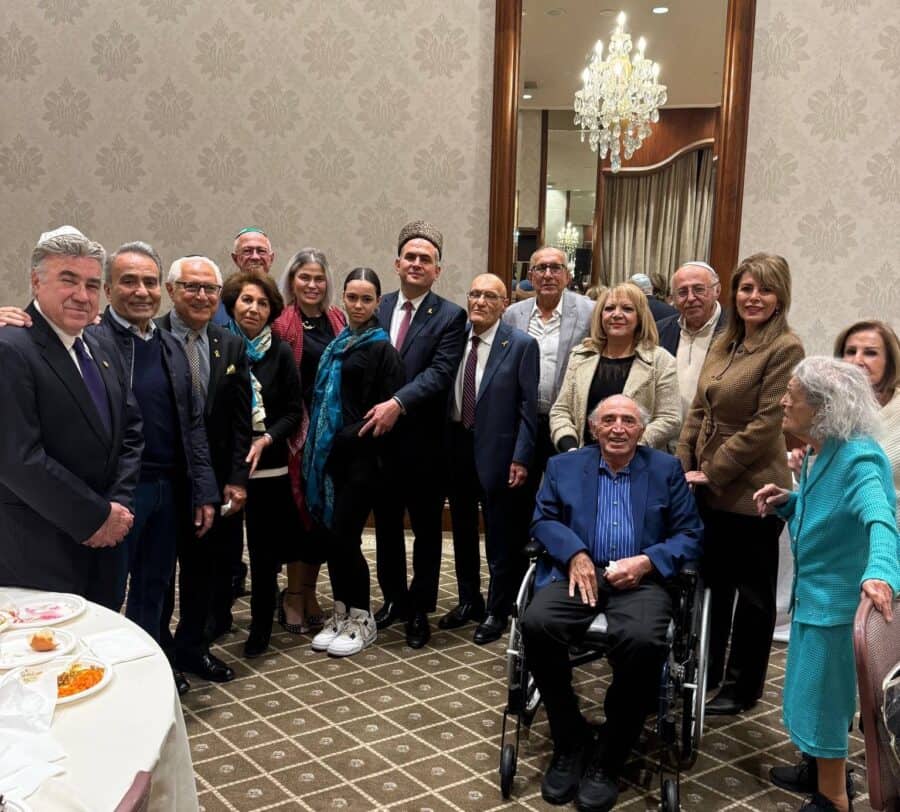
x=222, y=378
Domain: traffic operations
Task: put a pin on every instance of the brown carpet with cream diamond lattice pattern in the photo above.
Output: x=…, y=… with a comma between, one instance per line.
x=420, y=730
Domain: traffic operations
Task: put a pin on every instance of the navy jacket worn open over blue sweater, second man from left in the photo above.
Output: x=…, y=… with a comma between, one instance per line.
x=194, y=446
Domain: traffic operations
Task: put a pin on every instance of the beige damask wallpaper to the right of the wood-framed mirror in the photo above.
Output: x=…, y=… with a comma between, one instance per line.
x=823, y=168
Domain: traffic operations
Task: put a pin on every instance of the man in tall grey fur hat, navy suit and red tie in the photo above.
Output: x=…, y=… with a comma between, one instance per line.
x=429, y=333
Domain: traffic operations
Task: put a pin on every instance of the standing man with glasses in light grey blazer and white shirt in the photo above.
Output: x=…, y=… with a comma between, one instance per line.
x=558, y=320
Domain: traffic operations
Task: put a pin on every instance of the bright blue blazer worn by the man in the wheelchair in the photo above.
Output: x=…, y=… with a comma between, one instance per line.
x=666, y=523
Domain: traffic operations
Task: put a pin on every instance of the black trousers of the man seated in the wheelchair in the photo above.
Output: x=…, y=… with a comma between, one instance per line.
x=638, y=619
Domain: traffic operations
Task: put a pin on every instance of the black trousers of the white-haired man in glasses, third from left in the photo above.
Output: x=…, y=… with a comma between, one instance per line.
x=202, y=563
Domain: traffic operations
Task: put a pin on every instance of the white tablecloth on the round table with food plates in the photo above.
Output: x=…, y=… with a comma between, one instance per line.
x=134, y=724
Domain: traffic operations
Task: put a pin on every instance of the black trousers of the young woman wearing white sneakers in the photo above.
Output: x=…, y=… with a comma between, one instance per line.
x=355, y=486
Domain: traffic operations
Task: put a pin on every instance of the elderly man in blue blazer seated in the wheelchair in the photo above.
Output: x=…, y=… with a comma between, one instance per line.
x=617, y=520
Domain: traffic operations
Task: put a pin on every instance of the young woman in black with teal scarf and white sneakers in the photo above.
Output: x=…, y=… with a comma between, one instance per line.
x=340, y=469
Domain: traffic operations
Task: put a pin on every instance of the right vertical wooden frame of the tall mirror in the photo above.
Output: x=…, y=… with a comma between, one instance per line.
x=732, y=138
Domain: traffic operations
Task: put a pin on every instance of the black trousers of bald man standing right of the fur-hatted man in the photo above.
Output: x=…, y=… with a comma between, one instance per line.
x=507, y=516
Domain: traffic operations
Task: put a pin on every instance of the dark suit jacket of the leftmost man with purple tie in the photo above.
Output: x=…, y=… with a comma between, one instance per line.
x=59, y=467
